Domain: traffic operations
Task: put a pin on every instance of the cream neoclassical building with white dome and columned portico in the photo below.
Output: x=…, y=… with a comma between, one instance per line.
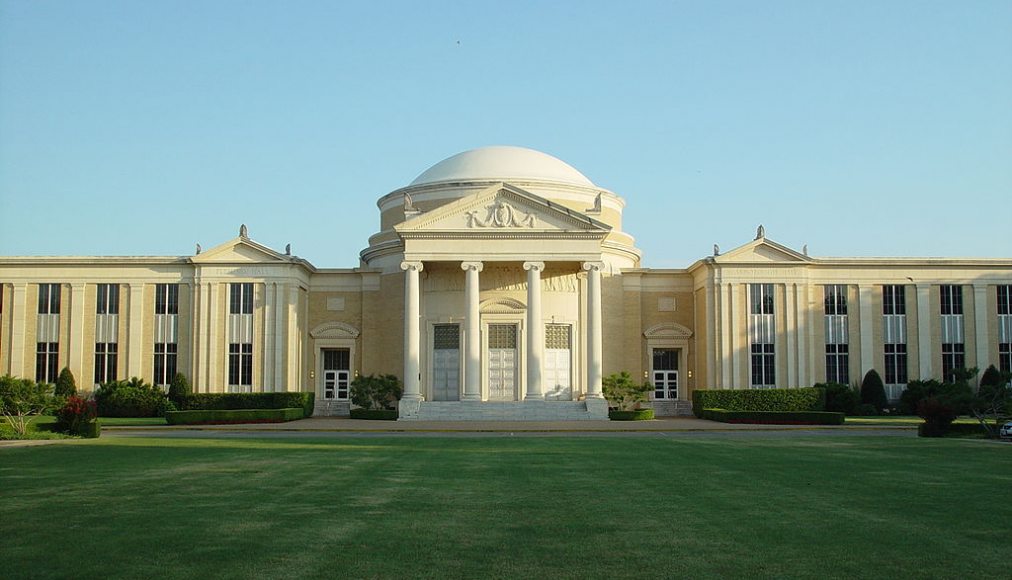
x=501, y=285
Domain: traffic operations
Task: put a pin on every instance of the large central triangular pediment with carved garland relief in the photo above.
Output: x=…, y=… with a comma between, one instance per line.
x=502, y=209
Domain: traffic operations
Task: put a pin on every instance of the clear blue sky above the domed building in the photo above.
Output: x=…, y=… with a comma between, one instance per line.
x=859, y=128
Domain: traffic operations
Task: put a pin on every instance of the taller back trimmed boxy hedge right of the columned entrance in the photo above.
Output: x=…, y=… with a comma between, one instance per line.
x=806, y=399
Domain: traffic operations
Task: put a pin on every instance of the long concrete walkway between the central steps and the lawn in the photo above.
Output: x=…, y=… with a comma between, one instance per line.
x=335, y=425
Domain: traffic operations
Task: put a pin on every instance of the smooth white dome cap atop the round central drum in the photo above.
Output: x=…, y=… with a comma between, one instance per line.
x=502, y=163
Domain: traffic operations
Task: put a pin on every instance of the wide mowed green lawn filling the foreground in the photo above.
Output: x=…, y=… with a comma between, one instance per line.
x=552, y=508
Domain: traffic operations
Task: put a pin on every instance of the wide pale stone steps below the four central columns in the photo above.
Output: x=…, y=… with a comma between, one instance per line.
x=592, y=410
